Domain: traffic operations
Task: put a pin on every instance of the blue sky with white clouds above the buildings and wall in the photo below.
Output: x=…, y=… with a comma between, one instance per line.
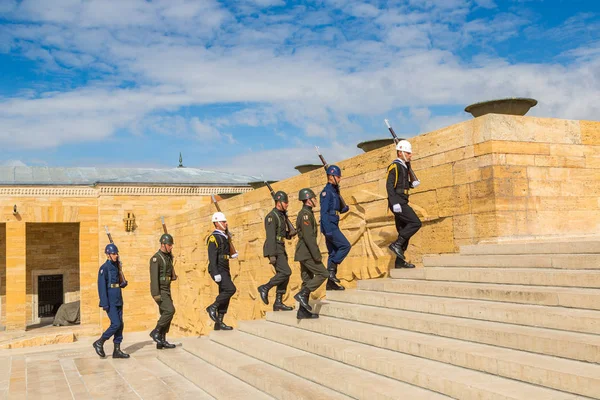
x=251, y=86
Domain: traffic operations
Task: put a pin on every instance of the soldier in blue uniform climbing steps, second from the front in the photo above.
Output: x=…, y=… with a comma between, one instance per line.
x=338, y=246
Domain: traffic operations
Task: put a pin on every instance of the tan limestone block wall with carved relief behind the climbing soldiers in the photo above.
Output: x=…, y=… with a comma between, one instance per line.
x=488, y=179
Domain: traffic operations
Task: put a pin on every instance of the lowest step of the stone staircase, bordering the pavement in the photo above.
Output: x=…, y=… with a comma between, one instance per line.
x=209, y=378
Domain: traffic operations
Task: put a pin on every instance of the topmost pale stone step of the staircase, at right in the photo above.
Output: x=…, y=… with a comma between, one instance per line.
x=556, y=247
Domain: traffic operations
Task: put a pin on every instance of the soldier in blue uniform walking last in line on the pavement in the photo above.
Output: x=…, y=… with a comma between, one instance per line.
x=110, y=283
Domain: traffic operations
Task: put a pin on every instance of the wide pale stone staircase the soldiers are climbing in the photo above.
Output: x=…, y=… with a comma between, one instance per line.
x=510, y=321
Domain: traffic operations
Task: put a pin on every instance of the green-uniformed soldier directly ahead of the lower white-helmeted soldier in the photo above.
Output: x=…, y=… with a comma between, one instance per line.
x=274, y=249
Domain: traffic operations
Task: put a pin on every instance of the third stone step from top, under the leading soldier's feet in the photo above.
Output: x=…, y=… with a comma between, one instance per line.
x=513, y=276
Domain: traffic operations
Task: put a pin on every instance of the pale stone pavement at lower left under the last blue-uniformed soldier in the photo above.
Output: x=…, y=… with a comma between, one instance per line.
x=74, y=371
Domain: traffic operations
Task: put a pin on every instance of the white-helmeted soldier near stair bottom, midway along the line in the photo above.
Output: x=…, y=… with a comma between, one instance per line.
x=218, y=268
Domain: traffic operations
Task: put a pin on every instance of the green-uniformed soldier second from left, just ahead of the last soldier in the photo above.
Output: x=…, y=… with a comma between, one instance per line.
x=161, y=267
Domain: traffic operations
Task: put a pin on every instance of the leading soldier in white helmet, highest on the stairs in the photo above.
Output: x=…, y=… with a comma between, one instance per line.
x=400, y=179
